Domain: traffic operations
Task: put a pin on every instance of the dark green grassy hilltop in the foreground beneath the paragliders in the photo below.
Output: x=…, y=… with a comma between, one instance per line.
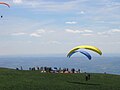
x=34, y=80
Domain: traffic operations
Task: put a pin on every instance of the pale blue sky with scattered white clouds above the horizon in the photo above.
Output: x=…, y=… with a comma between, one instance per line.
x=31, y=27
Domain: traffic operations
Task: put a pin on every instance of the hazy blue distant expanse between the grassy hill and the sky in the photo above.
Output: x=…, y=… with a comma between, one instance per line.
x=110, y=65
